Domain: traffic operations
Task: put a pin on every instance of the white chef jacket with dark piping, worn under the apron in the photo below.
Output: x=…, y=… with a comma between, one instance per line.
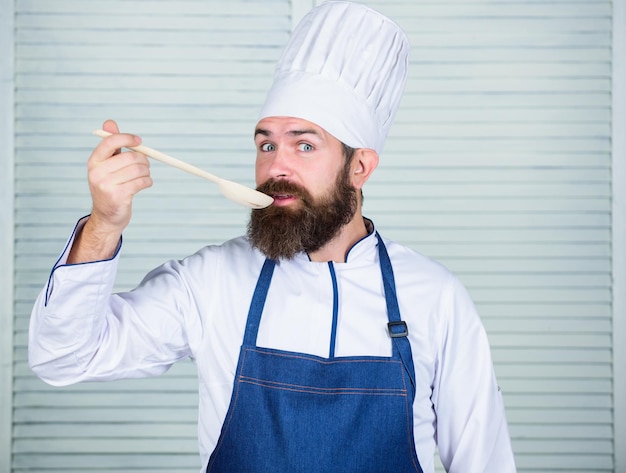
x=197, y=308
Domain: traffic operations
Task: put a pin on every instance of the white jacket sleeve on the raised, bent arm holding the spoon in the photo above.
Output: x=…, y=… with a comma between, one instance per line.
x=80, y=331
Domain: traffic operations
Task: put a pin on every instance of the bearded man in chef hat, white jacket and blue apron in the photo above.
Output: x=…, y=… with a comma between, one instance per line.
x=320, y=345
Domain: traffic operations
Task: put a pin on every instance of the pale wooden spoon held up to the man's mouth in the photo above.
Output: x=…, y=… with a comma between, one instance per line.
x=231, y=190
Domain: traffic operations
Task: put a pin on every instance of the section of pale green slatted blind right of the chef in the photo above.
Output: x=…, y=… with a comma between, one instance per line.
x=499, y=165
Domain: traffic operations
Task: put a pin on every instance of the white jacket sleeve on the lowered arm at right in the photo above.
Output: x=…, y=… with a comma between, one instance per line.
x=472, y=432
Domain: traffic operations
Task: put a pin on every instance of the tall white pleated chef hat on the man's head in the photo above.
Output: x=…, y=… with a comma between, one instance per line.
x=344, y=69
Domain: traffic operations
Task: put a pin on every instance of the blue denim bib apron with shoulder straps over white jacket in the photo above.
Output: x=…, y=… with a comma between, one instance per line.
x=296, y=413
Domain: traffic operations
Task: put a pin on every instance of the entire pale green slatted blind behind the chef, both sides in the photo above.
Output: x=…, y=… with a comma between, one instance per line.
x=498, y=165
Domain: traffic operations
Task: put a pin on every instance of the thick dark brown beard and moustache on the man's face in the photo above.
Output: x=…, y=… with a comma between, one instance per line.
x=282, y=232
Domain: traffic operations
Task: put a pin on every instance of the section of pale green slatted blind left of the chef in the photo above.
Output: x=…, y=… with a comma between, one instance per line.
x=189, y=77
